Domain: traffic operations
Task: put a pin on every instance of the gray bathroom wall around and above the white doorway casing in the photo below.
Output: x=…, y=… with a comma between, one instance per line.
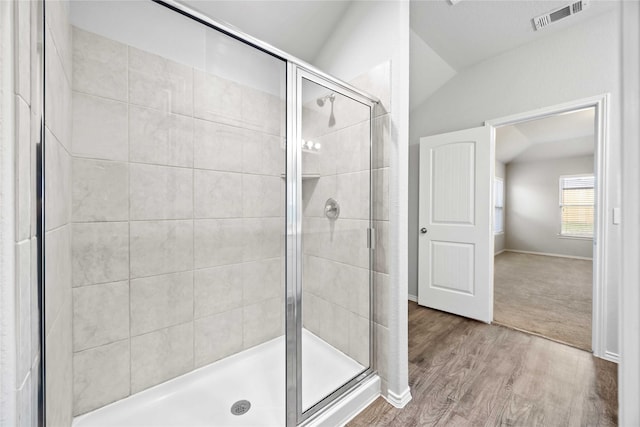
x=580, y=62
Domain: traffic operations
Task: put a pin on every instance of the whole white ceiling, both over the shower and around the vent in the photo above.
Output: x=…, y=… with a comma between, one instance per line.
x=444, y=39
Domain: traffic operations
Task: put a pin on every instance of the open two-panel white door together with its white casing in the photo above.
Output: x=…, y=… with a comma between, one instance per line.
x=457, y=212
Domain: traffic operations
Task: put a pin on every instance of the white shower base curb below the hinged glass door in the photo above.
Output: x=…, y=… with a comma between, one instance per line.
x=348, y=407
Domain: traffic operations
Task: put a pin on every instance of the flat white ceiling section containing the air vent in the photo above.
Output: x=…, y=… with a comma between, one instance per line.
x=473, y=30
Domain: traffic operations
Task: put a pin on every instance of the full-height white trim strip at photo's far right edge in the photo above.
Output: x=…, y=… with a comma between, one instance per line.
x=629, y=295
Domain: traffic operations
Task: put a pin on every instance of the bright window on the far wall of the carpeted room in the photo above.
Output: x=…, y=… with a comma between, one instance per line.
x=576, y=205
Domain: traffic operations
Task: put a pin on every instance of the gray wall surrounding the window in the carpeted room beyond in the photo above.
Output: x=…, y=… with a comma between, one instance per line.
x=533, y=215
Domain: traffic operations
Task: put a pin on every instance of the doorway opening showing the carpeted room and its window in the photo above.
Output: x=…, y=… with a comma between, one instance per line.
x=543, y=226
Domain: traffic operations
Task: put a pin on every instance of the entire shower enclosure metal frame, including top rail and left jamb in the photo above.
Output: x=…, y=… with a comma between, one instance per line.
x=296, y=68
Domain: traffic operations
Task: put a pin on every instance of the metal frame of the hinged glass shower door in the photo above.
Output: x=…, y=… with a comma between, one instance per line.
x=295, y=75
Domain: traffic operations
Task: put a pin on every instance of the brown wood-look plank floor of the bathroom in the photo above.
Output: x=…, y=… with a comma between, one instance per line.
x=467, y=373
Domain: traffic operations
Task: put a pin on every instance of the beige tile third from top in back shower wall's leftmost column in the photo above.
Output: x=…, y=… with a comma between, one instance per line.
x=100, y=190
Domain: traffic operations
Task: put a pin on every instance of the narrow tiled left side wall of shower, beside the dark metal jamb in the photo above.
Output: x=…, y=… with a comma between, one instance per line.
x=58, y=304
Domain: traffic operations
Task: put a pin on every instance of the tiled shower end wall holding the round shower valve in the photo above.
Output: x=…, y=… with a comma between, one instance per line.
x=336, y=294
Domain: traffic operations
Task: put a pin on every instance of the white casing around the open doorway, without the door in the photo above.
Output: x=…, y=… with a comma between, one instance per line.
x=601, y=241
